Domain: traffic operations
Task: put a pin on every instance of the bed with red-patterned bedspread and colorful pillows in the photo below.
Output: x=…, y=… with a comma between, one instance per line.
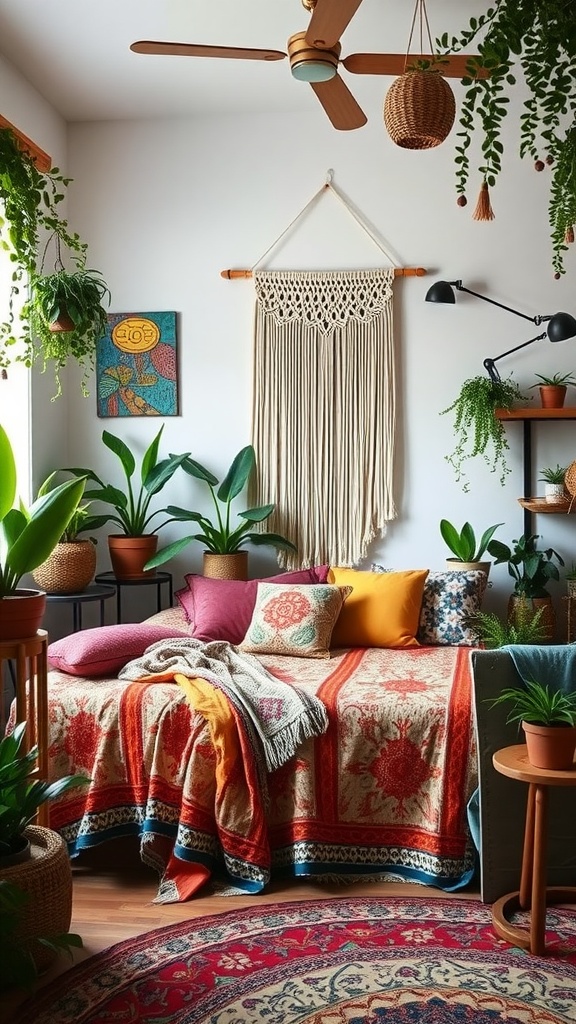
x=382, y=793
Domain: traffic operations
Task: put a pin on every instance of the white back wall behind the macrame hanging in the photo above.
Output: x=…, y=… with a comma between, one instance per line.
x=166, y=206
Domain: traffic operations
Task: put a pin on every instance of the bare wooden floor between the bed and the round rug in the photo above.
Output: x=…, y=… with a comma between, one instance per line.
x=113, y=894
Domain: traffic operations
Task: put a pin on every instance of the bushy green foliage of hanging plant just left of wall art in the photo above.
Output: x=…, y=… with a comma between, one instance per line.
x=80, y=294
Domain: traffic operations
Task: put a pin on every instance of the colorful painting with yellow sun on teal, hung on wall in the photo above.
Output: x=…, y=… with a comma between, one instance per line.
x=137, y=366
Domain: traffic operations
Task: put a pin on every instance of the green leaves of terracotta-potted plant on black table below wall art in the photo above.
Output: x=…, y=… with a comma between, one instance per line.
x=132, y=506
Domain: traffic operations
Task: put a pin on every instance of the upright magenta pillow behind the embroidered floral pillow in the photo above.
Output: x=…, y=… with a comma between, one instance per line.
x=222, y=610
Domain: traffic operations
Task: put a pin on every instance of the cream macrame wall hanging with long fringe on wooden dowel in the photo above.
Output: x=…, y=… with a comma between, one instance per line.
x=324, y=405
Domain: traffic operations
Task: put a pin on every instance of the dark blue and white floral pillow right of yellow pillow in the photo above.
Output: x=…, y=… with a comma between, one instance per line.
x=448, y=601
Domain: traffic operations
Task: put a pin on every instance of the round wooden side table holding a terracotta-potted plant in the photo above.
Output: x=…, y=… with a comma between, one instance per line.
x=533, y=894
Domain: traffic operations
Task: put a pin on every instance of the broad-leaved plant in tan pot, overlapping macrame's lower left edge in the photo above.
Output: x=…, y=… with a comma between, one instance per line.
x=225, y=557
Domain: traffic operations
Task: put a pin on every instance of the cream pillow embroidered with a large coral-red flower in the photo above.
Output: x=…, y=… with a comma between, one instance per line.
x=294, y=619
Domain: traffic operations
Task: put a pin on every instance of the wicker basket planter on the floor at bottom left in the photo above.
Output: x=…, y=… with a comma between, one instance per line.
x=47, y=877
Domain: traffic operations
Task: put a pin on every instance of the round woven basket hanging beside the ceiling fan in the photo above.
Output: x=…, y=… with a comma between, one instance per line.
x=420, y=110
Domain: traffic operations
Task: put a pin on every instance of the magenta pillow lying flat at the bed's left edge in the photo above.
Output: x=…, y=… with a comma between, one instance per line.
x=106, y=650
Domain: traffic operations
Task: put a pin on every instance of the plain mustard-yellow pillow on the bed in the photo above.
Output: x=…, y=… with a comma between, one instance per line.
x=384, y=610
